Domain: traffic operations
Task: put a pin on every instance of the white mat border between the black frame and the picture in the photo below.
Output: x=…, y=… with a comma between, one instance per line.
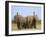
x=25, y=31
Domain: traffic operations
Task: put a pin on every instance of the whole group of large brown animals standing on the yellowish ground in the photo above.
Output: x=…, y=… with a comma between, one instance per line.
x=26, y=22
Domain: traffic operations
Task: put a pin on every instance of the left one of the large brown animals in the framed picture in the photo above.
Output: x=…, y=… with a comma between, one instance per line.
x=21, y=22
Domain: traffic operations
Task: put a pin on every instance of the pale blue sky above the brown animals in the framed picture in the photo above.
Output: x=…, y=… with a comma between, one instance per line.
x=25, y=10
